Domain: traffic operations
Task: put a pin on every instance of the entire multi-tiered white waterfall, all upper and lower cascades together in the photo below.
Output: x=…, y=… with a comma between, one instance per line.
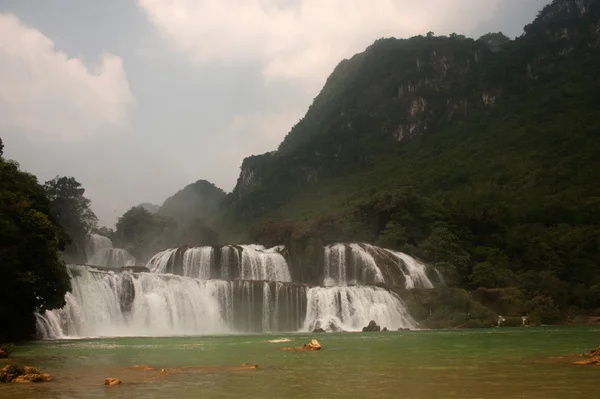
x=234, y=289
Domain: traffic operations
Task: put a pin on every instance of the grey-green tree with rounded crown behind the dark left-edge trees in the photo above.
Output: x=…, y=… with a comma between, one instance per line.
x=73, y=211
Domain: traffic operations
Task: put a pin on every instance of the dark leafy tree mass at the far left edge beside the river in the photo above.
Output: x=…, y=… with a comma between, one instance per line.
x=33, y=277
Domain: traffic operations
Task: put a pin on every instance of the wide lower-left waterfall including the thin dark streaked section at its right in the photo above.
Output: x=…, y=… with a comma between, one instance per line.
x=148, y=304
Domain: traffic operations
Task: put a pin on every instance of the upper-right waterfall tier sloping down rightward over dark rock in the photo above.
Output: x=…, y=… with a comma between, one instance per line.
x=364, y=264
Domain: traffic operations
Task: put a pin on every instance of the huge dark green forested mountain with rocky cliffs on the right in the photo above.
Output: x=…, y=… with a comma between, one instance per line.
x=480, y=156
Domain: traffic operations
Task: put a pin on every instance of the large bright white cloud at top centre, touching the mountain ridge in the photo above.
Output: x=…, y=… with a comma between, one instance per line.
x=304, y=39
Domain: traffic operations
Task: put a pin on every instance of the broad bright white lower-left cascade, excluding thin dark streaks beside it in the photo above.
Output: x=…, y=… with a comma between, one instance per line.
x=143, y=304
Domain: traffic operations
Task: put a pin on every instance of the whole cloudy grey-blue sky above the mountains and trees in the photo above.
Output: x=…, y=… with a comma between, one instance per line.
x=138, y=98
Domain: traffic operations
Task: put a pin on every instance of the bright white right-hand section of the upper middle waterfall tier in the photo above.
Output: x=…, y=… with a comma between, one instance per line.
x=259, y=263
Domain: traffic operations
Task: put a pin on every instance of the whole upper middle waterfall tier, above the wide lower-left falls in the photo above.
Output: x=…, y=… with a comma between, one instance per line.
x=245, y=262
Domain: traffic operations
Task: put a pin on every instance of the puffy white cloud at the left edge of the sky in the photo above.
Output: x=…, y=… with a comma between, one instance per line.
x=42, y=90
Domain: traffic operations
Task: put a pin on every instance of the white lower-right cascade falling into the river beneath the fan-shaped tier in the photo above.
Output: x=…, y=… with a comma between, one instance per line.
x=352, y=308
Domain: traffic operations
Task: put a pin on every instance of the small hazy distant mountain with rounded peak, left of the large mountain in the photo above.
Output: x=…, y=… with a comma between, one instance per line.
x=198, y=200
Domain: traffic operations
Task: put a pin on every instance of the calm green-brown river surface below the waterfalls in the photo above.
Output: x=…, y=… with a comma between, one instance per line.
x=497, y=363
